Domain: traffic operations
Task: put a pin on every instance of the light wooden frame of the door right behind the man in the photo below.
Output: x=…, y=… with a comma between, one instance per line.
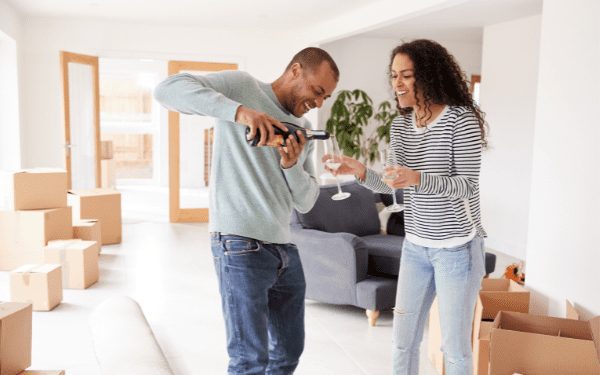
x=176, y=213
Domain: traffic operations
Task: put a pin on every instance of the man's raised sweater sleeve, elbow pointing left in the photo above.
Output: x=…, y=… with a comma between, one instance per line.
x=206, y=95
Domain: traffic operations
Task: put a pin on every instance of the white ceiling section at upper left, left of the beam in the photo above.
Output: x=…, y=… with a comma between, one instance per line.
x=230, y=14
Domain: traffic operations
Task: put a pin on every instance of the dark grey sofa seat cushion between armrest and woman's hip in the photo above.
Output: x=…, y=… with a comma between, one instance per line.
x=384, y=253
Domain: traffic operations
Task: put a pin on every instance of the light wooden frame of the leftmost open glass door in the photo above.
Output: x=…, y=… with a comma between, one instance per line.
x=65, y=59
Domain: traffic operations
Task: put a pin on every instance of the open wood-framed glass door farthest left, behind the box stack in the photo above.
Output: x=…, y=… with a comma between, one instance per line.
x=81, y=96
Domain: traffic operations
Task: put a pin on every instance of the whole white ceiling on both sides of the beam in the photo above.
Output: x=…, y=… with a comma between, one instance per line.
x=462, y=21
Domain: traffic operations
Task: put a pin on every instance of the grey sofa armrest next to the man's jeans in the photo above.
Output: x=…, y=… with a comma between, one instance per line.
x=333, y=264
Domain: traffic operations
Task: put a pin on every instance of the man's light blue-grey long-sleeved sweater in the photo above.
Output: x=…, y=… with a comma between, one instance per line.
x=250, y=194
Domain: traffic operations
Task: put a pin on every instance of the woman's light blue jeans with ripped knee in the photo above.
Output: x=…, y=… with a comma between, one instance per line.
x=455, y=275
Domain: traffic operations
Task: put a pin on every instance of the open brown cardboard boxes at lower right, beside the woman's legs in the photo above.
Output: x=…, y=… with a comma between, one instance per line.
x=507, y=340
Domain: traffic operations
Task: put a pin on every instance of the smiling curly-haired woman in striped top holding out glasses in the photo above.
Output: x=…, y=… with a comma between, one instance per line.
x=436, y=142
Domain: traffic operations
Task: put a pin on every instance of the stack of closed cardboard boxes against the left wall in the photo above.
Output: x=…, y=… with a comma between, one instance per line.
x=39, y=242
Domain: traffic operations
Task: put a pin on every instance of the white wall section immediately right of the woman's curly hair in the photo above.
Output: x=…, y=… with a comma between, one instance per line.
x=508, y=97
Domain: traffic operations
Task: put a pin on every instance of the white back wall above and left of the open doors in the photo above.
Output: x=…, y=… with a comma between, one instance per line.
x=263, y=55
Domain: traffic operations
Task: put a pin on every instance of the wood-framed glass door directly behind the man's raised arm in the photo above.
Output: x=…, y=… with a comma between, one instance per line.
x=189, y=160
